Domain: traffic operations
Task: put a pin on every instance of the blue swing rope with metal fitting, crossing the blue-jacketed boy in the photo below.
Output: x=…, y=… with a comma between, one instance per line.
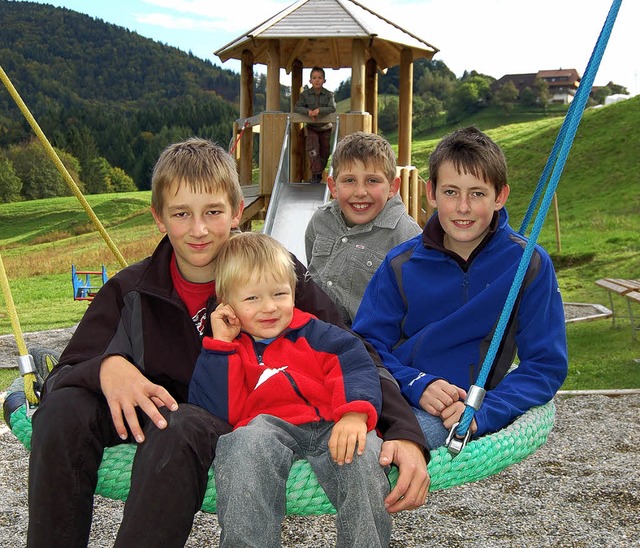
x=561, y=149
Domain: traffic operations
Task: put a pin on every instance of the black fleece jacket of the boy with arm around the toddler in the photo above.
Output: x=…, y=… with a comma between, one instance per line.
x=138, y=314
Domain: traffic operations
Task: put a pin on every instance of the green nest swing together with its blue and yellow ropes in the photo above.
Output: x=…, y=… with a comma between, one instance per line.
x=474, y=461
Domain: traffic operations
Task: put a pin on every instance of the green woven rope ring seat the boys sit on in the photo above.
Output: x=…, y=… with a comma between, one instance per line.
x=481, y=458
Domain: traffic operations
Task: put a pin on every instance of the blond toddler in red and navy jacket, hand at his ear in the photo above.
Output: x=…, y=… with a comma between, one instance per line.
x=293, y=387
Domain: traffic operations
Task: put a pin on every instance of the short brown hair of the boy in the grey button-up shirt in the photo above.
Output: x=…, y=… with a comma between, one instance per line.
x=368, y=148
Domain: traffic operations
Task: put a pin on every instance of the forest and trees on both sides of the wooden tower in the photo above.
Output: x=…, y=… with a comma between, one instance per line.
x=109, y=100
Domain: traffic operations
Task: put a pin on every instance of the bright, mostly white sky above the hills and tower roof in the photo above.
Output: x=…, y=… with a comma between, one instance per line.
x=493, y=37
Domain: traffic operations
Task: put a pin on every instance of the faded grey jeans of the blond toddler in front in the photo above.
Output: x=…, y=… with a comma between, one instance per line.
x=251, y=469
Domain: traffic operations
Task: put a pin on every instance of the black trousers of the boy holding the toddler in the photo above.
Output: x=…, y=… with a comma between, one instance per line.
x=72, y=427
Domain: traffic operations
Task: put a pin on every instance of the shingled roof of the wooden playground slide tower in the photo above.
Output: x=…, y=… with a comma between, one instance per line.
x=321, y=32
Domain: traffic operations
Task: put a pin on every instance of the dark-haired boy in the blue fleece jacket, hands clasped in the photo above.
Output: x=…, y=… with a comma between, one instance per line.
x=432, y=306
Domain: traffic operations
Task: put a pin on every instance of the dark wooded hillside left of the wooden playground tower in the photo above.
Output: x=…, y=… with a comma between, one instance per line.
x=107, y=97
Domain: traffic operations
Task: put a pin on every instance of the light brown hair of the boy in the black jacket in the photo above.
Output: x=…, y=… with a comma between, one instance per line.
x=200, y=164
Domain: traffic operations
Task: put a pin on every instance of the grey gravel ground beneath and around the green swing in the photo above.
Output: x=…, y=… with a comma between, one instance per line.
x=582, y=489
